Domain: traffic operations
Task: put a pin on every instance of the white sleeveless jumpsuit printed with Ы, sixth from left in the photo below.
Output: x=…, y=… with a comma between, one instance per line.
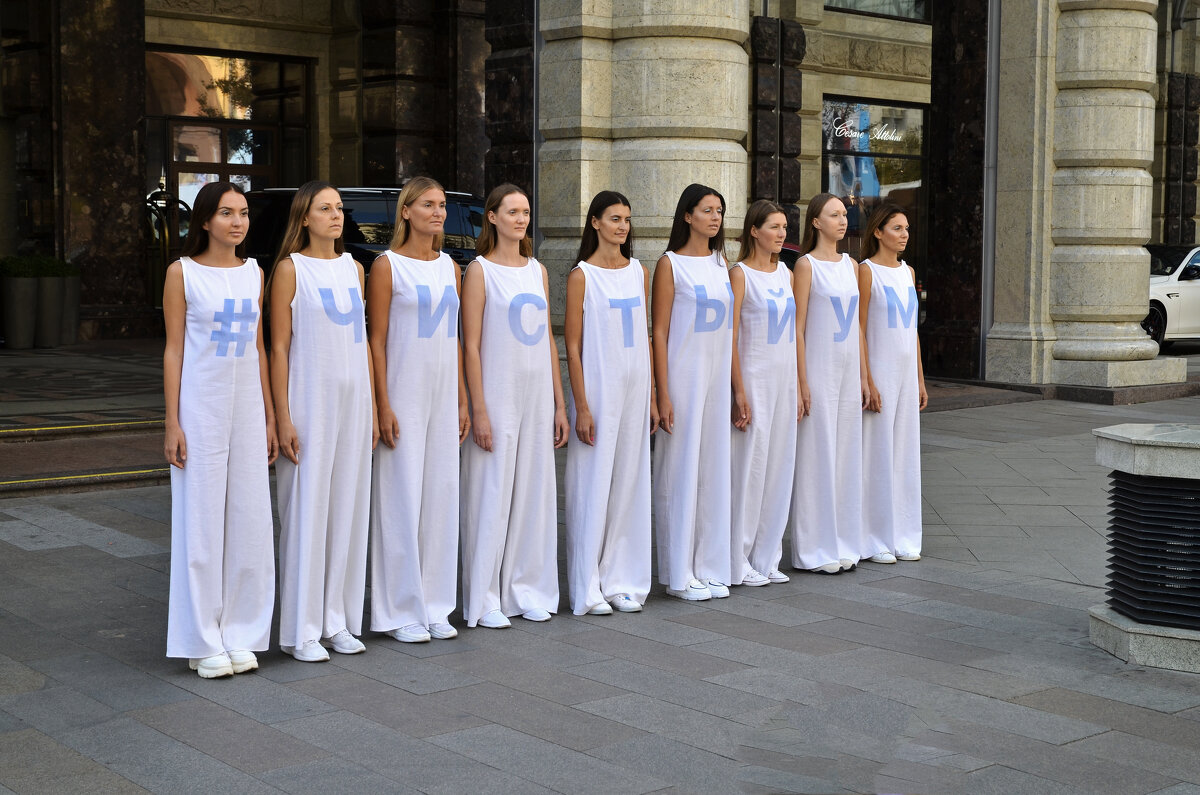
x=692, y=465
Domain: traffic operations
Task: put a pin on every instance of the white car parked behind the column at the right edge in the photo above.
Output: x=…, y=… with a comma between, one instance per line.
x=1174, y=295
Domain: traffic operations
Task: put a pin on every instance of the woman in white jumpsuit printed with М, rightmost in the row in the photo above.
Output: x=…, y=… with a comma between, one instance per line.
x=892, y=525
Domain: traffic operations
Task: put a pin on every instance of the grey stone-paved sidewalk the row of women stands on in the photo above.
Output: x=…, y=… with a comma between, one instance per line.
x=970, y=672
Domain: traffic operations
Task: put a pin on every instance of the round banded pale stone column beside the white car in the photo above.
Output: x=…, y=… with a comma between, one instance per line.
x=1103, y=148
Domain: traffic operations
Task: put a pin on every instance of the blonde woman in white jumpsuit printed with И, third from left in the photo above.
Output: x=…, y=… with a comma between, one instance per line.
x=413, y=312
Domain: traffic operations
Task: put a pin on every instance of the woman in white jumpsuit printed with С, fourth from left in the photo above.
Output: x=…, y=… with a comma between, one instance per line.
x=509, y=516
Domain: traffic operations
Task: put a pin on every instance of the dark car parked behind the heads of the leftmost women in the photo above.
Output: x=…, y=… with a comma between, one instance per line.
x=370, y=220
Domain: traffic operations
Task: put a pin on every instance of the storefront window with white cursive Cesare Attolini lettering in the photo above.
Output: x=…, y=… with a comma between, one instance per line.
x=875, y=153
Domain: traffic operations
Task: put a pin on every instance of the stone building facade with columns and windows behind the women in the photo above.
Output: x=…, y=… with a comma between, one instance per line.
x=1037, y=144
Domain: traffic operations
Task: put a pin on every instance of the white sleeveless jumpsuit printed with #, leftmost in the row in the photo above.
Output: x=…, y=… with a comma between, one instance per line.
x=223, y=564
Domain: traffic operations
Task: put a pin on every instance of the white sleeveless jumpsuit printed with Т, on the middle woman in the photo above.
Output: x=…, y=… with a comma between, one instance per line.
x=609, y=485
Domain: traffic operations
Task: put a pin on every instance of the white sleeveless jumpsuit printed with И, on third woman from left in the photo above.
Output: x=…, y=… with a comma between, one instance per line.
x=415, y=498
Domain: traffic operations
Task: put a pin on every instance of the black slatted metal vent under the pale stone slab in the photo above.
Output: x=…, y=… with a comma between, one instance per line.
x=1155, y=549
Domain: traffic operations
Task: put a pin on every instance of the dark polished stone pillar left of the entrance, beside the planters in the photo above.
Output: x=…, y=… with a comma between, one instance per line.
x=101, y=69
